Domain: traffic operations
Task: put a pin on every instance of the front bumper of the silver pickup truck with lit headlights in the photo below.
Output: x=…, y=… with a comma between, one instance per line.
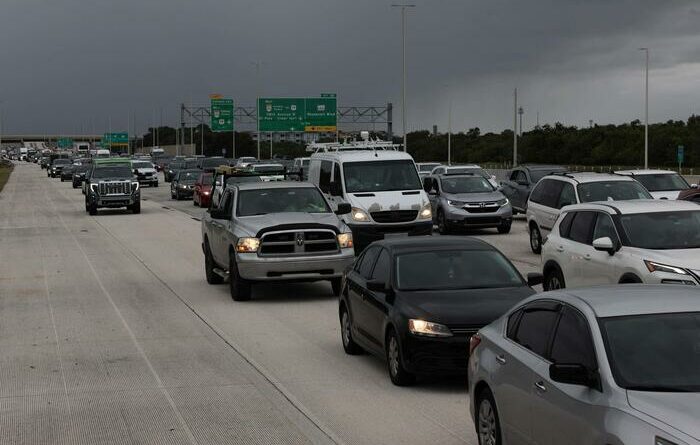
x=306, y=268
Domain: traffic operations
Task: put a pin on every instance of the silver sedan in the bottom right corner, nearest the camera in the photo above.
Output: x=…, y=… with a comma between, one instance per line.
x=605, y=365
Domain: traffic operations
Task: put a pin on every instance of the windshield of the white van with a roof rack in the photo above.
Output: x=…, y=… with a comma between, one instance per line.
x=381, y=176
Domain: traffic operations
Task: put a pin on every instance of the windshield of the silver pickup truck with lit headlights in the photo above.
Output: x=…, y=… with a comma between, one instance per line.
x=281, y=200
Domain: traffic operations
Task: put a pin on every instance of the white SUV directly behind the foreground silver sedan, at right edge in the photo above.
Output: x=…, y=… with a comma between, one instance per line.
x=642, y=241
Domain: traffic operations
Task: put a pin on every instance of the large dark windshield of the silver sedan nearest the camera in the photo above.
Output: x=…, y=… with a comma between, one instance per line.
x=655, y=352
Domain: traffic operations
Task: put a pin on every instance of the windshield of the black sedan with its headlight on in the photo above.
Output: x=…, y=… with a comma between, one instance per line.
x=455, y=269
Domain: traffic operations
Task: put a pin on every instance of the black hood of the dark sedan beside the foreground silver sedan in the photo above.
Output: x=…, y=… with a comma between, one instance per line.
x=473, y=307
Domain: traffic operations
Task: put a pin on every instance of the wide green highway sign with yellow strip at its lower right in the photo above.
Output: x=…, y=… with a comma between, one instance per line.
x=298, y=114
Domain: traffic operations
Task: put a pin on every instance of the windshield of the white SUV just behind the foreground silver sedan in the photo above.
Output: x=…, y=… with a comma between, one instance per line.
x=663, y=230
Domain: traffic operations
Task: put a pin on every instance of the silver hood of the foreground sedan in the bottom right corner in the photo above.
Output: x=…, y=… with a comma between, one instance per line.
x=680, y=411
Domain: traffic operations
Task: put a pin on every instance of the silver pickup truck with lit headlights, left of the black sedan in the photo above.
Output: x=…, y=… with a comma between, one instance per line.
x=274, y=231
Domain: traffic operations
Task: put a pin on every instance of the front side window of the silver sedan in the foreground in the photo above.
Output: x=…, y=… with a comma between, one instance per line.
x=572, y=342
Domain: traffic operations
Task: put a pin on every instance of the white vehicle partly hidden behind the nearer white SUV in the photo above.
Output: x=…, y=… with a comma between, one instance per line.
x=556, y=191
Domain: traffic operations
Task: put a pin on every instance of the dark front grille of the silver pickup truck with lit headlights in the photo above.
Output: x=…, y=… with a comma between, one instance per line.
x=302, y=242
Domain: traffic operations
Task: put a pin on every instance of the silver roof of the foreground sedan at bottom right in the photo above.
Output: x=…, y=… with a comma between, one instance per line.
x=632, y=299
